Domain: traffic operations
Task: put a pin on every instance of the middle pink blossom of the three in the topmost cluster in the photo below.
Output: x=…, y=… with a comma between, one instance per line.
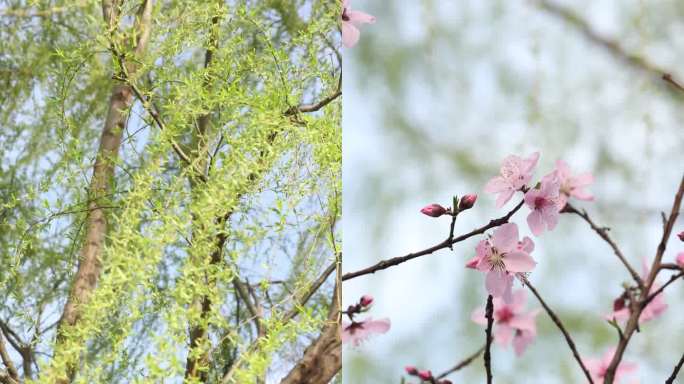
x=544, y=204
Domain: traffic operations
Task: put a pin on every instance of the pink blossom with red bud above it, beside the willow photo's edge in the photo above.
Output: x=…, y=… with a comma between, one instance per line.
x=355, y=332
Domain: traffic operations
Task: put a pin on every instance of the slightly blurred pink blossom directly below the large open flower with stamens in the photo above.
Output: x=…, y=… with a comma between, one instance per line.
x=512, y=325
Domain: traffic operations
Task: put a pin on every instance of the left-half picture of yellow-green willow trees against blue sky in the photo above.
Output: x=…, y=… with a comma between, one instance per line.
x=170, y=183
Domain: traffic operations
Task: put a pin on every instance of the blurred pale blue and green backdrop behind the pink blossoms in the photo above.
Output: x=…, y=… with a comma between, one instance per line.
x=436, y=94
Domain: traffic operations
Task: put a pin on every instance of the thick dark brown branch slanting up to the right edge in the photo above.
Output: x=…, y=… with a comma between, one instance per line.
x=633, y=322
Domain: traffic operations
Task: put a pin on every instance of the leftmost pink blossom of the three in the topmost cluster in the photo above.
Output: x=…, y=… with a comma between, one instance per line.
x=515, y=173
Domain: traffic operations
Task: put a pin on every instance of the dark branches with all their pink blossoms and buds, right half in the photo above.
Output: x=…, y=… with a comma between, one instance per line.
x=504, y=258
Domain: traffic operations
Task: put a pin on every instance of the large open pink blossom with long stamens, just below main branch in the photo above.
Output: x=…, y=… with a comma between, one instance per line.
x=500, y=258
